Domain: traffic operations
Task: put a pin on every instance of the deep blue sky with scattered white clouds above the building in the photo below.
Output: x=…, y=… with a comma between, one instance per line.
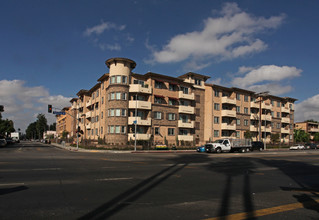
x=50, y=50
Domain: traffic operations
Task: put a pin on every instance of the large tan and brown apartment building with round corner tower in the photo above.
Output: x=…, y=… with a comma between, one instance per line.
x=165, y=109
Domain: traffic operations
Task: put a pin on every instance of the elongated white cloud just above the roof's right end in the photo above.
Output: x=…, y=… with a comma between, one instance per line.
x=264, y=73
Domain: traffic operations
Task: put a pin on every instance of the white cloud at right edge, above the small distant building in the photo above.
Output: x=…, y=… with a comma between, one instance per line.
x=307, y=109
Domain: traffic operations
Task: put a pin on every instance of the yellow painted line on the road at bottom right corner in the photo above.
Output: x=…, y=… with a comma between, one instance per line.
x=268, y=211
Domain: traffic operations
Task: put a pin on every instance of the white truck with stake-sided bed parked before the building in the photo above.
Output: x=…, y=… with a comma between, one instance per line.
x=229, y=145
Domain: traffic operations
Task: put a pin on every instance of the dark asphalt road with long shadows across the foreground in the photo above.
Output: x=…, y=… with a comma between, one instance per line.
x=44, y=182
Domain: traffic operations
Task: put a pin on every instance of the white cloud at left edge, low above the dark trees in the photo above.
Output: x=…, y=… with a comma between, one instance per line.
x=22, y=104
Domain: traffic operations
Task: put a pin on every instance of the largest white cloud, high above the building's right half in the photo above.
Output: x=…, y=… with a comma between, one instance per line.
x=229, y=36
